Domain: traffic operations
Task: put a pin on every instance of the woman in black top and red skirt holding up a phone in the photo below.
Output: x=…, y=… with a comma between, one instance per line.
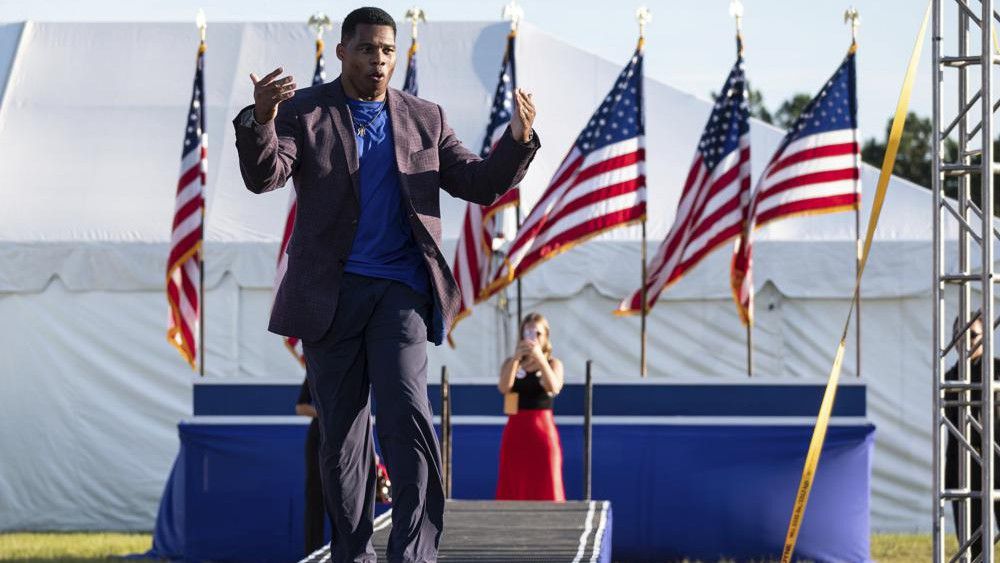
x=530, y=453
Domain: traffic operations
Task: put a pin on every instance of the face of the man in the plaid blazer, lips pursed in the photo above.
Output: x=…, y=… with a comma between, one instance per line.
x=367, y=61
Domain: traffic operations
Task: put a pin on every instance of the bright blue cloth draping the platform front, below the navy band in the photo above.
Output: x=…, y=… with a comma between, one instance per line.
x=678, y=490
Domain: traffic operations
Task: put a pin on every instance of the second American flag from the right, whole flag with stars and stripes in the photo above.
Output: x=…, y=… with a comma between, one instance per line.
x=710, y=208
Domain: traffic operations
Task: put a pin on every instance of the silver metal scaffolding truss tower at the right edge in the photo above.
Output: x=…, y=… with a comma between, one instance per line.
x=964, y=272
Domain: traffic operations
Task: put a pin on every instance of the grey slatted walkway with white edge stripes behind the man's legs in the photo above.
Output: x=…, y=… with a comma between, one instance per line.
x=507, y=531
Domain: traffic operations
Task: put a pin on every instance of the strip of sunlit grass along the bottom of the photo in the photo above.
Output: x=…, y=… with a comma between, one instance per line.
x=84, y=546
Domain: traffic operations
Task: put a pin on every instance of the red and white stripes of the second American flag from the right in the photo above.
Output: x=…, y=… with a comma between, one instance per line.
x=709, y=214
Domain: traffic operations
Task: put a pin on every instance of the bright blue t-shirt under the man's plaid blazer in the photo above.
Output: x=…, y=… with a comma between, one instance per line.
x=383, y=244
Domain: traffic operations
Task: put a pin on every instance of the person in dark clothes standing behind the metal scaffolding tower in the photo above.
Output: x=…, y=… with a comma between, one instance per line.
x=952, y=452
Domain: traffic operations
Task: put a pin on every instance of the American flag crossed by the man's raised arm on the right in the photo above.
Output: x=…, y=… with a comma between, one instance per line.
x=474, y=252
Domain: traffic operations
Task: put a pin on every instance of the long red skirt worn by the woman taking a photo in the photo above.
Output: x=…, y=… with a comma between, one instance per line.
x=530, y=458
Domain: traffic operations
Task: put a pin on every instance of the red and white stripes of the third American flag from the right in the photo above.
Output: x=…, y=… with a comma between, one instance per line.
x=590, y=193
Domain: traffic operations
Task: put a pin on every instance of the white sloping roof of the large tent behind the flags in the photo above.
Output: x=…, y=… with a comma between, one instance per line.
x=91, y=119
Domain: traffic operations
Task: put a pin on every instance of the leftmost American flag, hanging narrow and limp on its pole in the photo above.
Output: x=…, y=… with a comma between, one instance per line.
x=184, y=266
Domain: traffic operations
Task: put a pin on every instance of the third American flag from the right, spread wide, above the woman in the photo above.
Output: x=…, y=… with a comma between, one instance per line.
x=600, y=185
